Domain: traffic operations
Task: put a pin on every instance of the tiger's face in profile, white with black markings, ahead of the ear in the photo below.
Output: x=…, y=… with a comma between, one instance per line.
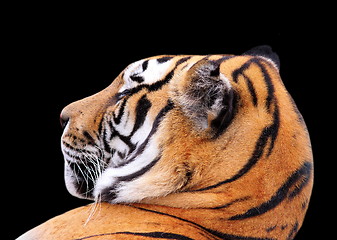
x=112, y=140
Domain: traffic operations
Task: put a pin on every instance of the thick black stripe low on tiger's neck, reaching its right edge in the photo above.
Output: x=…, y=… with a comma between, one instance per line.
x=282, y=193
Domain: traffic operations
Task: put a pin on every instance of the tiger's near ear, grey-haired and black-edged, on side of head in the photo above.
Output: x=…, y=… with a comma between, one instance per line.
x=205, y=95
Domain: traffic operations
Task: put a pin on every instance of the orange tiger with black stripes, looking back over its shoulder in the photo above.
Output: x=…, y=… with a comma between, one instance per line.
x=187, y=147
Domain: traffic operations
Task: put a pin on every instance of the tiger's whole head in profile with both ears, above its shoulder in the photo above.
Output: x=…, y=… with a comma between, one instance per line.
x=180, y=130
